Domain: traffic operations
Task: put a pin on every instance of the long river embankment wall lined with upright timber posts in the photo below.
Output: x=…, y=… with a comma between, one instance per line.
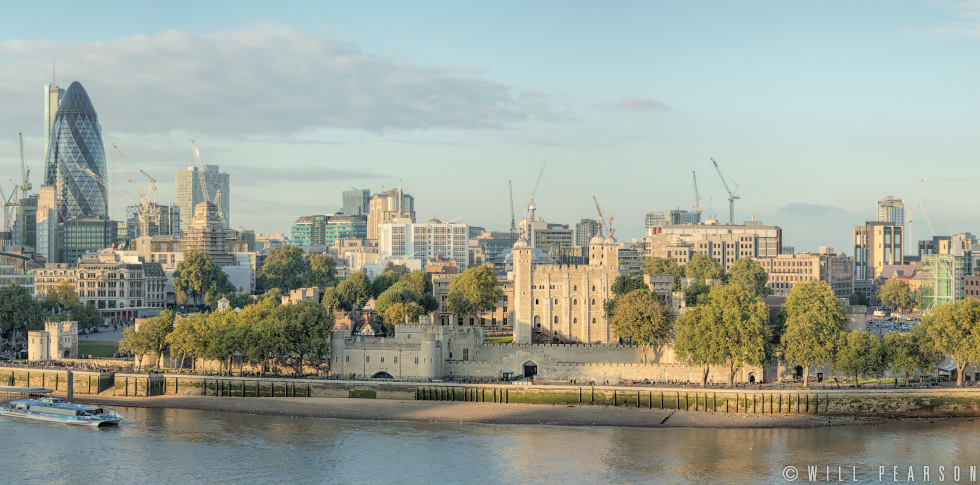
x=886, y=403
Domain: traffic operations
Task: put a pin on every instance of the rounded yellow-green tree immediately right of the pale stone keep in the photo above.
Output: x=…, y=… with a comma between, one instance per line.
x=639, y=317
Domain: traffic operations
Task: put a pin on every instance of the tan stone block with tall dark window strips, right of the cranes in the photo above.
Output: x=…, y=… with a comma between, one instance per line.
x=876, y=244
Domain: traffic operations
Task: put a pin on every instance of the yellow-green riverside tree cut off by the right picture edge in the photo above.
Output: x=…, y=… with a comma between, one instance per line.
x=953, y=329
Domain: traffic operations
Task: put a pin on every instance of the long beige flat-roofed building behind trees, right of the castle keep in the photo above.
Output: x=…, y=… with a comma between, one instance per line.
x=724, y=243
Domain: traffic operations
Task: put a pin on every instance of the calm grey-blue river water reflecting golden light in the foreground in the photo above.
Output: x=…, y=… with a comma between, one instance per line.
x=187, y=446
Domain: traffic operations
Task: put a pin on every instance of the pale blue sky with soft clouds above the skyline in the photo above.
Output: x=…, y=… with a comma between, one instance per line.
x=812, y=110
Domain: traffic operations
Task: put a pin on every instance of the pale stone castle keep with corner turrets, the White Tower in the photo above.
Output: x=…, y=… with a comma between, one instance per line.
x=564, y=301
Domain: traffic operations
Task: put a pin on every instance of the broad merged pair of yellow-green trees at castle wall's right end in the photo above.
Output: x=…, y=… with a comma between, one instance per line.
x=729, y=329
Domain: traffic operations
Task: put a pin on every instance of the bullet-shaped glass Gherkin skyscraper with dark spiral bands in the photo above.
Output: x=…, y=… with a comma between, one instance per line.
x=76, y=157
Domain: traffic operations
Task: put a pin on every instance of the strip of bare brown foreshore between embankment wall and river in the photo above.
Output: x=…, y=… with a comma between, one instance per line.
x=476, y=412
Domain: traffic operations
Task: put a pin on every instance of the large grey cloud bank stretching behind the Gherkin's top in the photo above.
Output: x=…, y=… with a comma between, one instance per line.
x=269, y=80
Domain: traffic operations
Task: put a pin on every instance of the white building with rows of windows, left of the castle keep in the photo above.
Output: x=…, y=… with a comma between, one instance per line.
x=429, y=240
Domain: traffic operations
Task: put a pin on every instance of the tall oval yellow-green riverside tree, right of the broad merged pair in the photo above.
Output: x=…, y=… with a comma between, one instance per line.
x=814, y=326
